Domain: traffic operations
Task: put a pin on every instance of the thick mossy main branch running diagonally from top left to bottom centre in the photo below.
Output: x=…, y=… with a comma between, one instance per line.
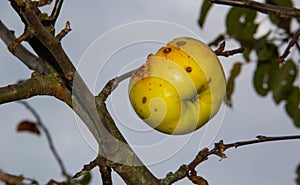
x=112, y=144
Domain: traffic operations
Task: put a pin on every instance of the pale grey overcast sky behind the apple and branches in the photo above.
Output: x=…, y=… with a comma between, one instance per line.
x=21, y=153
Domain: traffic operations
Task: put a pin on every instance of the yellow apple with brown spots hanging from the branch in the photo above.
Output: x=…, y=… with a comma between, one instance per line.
x=178, y=89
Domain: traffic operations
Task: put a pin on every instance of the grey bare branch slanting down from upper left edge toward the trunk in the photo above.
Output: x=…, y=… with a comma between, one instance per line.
x=29, y=59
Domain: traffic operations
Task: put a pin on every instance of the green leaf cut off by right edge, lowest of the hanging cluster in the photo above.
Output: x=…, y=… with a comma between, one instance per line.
x=293, y=108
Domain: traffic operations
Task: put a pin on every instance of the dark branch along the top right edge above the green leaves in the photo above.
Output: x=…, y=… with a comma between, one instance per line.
x=279, y=11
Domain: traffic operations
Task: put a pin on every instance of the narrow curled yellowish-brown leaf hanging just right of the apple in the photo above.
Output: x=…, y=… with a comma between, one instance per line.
x=235, y=71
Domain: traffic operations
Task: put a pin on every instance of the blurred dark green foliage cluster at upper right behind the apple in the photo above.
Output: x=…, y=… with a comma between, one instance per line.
x=276, y=72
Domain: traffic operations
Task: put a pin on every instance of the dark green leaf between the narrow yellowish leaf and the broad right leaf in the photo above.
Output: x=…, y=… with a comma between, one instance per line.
x=261, y=78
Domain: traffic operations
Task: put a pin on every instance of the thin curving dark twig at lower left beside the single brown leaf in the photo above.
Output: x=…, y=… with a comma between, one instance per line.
x=48, y=136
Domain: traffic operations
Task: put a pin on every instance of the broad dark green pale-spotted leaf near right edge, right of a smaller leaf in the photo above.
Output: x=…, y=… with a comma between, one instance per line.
x=281, y=80
